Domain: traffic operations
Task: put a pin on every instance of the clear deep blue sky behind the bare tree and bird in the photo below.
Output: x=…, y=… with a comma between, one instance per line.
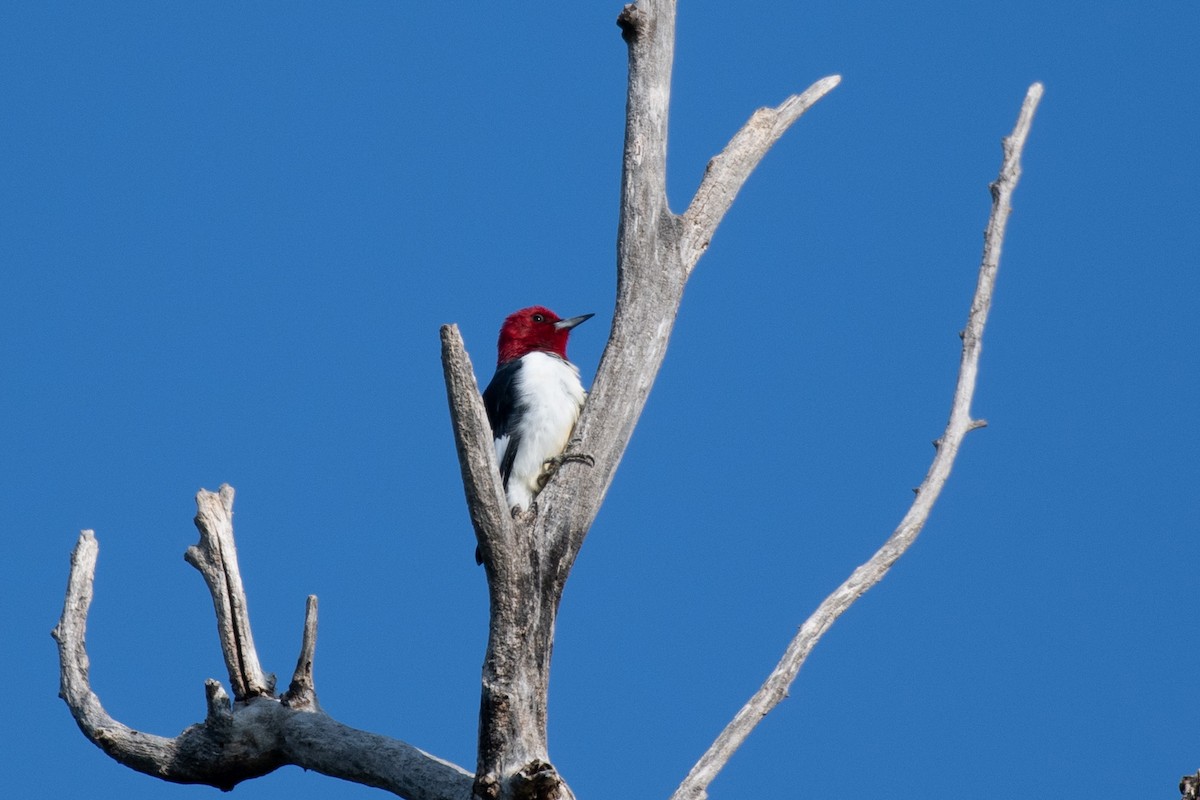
x=229, y=238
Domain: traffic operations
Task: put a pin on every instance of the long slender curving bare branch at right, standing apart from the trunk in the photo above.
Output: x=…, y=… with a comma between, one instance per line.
x=775, y=690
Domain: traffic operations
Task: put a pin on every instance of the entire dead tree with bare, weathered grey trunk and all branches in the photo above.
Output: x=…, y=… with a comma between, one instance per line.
x=527, y=558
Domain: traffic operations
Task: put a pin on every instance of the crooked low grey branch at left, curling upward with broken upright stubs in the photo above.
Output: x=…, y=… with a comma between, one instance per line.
x=247, y=739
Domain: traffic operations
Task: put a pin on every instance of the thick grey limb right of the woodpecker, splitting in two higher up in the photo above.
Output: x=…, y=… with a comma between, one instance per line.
x=657, y=251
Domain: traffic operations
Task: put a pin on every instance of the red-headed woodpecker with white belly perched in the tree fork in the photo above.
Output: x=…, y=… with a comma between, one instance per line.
x=533, y=401
